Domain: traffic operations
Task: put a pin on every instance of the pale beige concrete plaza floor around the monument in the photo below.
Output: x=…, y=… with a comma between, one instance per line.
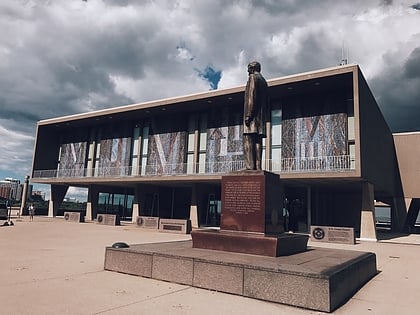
x=51, y=266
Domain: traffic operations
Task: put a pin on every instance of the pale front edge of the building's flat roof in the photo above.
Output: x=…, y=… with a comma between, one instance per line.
x=202, y=96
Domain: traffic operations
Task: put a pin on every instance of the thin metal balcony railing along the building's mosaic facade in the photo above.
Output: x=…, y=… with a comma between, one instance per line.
x=289, y=165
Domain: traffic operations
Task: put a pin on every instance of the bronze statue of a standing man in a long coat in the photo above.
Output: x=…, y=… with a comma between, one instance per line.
x=255, y=104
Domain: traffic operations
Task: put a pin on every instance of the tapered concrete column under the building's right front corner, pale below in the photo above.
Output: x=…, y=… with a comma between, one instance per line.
x=367, y=218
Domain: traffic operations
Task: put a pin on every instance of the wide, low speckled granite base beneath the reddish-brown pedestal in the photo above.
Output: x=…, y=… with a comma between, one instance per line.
x=319, y=279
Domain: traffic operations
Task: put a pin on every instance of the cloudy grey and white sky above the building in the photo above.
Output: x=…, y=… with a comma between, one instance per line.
x=71, y=56
